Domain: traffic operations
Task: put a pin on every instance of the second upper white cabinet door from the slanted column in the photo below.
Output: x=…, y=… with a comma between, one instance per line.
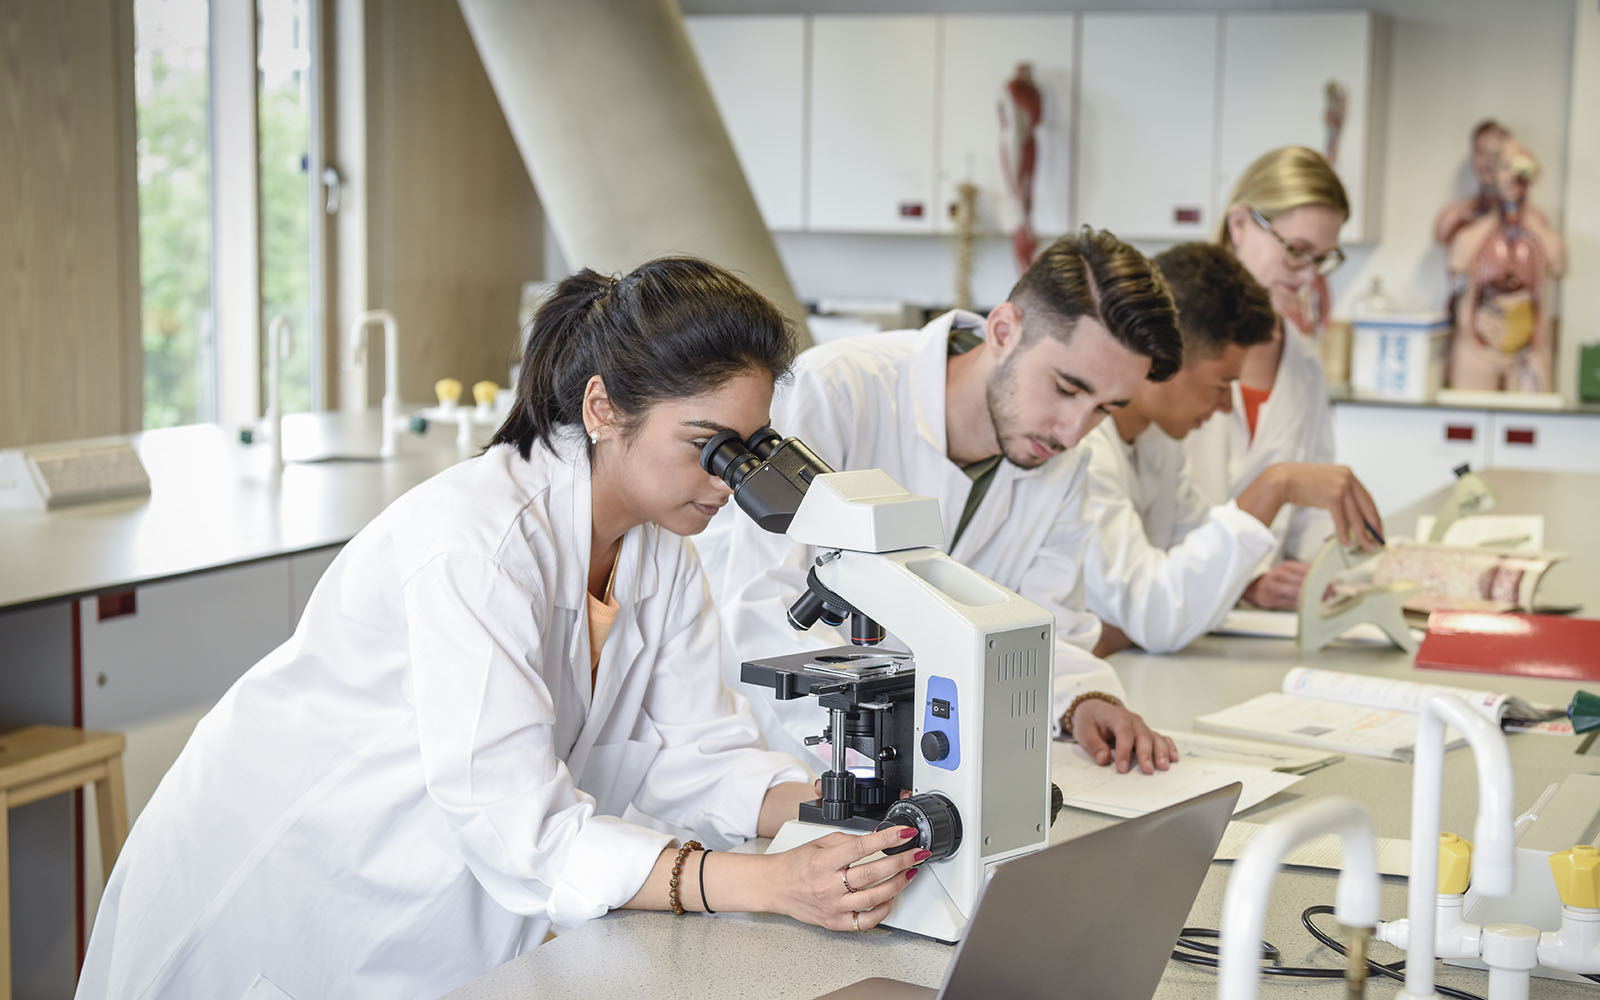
x=874, y=90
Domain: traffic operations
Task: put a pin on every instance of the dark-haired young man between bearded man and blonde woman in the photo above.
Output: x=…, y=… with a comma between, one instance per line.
x=1162, y=566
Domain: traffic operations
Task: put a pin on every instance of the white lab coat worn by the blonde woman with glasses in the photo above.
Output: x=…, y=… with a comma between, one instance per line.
x=1295, y=425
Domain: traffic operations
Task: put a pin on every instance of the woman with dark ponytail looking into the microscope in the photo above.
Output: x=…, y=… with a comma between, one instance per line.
x=434, y=769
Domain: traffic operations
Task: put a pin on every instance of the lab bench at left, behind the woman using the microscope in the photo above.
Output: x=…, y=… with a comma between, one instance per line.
x=137, y=615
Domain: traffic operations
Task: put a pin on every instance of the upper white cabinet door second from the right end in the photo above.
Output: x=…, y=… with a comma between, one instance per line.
x=1148, y=126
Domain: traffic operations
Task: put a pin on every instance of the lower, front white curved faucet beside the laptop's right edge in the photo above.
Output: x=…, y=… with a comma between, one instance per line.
x=1246, y=905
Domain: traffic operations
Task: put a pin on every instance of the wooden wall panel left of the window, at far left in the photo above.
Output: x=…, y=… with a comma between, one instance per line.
x=71, y=362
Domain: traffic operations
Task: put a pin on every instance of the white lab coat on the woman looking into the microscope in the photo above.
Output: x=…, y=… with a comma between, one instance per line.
x=418, y=783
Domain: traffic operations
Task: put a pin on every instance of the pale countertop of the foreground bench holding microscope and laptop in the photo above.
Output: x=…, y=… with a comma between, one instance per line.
x=762, y=956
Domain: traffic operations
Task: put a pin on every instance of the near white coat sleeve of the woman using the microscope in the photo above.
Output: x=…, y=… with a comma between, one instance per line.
x=486, y=726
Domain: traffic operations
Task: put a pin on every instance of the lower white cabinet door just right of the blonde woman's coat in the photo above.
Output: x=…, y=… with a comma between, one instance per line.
x=1404, y=454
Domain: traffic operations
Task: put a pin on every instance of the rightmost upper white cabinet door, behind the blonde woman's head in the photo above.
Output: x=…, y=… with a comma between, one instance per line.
x=1276, y=76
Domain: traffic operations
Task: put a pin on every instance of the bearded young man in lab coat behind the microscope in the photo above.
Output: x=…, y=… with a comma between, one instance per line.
x=978, y=414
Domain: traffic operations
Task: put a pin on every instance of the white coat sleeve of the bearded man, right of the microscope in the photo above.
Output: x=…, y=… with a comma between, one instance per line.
x=1055, y=582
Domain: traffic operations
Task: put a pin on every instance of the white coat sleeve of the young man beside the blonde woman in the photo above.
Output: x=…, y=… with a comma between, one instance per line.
x=1164, y=599
